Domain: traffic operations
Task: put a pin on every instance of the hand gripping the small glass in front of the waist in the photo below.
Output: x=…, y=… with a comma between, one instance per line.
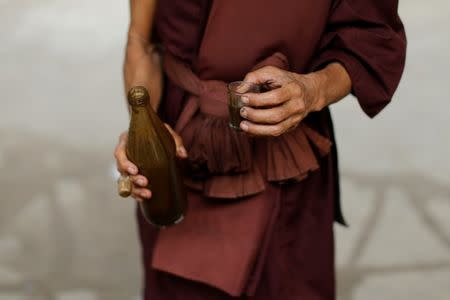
x=289, y=99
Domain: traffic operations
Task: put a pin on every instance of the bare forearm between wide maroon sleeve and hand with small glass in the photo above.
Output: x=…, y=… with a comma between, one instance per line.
x=332, y=83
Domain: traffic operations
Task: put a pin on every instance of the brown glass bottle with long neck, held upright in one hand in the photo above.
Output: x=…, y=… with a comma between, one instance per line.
x=152, y=149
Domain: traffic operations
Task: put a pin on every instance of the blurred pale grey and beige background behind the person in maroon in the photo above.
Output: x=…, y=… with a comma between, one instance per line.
x=65, y=235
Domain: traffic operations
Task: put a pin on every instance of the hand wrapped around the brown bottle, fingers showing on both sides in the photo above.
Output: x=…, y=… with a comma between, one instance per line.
x=139, y=189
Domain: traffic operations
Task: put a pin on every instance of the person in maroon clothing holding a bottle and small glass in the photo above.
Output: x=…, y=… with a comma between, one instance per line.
x=262, y=201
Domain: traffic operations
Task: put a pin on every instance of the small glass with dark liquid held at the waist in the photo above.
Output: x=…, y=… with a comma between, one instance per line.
x=236, y=90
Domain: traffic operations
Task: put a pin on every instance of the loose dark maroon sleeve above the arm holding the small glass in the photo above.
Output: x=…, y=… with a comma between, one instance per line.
x=367, y=37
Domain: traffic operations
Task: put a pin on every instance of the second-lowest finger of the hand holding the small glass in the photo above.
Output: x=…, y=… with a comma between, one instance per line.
x=272, y=115
